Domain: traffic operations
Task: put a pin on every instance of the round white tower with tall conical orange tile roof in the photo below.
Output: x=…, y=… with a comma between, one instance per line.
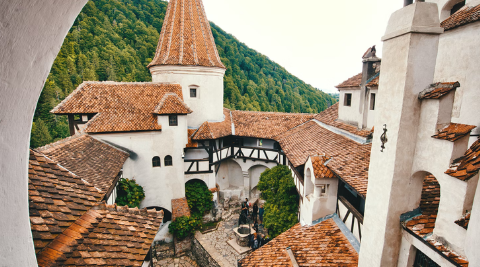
x=186, y=54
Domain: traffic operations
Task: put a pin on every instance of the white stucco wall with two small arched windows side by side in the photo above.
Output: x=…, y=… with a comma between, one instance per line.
x=161, y=184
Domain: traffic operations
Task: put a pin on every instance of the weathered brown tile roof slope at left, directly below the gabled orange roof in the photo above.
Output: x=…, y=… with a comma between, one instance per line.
x=90, y=159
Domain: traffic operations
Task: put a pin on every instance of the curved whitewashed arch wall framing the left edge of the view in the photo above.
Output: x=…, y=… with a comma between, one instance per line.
x=32, y=33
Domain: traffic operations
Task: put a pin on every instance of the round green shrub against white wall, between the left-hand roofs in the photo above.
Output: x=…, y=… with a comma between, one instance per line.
x=129, y=193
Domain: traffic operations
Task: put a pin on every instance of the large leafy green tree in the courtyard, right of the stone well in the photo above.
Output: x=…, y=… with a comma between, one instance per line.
x=280, y=194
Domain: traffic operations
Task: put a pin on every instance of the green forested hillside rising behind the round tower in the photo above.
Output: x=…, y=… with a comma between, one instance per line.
x=116, y=39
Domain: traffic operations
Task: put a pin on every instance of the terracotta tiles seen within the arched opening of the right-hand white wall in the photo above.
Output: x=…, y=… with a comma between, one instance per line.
x=424, y=224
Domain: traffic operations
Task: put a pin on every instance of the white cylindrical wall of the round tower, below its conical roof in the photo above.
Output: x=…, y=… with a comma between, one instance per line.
x=208, y=105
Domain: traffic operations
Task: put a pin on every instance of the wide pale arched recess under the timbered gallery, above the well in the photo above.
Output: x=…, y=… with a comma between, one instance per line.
x=230, y=175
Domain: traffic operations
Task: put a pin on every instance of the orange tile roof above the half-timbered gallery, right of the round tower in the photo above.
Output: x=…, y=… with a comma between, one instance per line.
x=266, y=124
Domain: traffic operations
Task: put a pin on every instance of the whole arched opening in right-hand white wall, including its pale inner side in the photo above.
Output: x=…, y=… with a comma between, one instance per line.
x=425, y=195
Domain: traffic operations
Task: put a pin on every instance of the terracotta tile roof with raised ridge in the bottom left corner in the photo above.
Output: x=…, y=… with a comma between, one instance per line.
x=105, y=235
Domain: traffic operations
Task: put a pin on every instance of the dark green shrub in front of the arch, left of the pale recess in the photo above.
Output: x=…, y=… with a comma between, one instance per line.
x=199, y=198
